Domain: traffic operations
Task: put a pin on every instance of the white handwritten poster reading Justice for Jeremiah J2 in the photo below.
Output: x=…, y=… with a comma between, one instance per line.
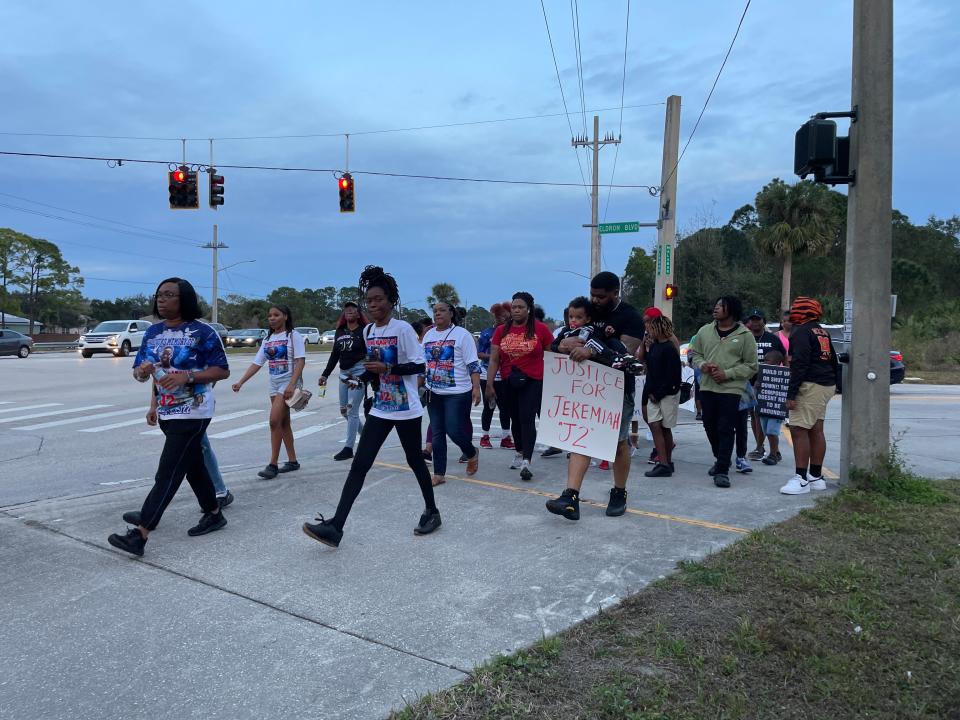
x=581, y=407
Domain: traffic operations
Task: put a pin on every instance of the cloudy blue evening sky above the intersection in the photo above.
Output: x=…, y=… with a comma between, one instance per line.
x=297, y=68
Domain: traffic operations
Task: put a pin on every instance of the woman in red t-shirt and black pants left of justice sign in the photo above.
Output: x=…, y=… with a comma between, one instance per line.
x=516, y=351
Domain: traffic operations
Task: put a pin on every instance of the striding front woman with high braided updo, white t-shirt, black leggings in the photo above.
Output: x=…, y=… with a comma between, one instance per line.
x=395, y=356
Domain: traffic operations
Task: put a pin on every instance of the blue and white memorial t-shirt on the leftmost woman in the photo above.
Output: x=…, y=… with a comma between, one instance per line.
x=189, y=347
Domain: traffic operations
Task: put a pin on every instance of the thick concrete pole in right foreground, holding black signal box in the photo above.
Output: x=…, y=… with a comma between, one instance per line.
x=865, y=415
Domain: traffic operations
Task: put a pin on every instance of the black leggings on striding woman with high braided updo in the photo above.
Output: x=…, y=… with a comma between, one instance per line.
x=375, y=432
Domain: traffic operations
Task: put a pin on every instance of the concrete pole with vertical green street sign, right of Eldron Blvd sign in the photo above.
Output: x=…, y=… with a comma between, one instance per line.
x=667, y=228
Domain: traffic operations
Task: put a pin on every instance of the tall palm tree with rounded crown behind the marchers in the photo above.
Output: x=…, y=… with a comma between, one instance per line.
x=794, y=220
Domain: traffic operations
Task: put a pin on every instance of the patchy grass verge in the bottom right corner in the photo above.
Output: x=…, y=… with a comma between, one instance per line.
x=849, y=610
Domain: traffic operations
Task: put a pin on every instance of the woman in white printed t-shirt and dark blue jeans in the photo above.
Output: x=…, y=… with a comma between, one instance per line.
x=452, y=384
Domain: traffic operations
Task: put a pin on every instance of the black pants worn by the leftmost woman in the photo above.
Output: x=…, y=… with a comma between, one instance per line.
x=182, y=456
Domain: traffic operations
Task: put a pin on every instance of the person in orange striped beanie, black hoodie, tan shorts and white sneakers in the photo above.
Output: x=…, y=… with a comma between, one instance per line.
x=813, y=381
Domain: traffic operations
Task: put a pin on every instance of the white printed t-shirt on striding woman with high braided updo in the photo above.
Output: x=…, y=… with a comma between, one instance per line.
x=395, y=344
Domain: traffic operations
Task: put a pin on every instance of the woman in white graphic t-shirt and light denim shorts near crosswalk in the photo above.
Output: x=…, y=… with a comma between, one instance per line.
x=285, y=353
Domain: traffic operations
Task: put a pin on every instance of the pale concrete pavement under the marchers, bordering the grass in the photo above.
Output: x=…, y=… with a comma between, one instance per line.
x=259, y=621
